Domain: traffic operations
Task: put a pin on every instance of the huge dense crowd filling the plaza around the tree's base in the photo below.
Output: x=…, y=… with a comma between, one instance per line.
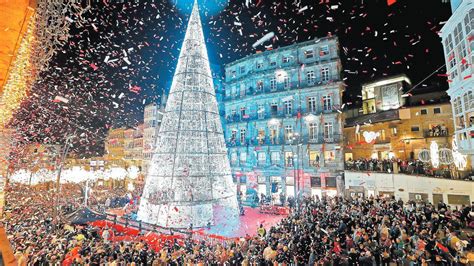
x=329, y=231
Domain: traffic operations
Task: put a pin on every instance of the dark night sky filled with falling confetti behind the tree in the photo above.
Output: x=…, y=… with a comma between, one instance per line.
x=142, y=41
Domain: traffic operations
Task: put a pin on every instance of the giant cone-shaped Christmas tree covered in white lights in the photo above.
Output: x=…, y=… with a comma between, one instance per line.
x=190, y=175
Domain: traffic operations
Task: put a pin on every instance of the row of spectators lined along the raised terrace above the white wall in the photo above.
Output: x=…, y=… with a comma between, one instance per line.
x=411, y=167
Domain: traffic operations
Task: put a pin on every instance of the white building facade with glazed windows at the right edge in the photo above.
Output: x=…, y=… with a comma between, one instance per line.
x=457, y=37
